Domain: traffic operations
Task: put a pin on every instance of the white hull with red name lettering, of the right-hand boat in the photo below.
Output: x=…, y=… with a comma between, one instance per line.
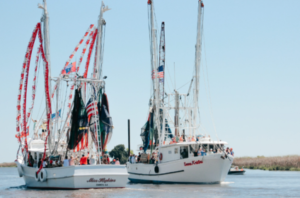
x=200, y=169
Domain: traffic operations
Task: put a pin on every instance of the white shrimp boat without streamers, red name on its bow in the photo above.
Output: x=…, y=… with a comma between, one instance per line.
x=174, y=158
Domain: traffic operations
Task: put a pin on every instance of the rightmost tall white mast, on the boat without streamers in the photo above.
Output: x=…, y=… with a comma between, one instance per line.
x=197, y=62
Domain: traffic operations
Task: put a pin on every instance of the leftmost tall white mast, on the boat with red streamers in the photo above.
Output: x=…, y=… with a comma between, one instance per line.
x=45, y=20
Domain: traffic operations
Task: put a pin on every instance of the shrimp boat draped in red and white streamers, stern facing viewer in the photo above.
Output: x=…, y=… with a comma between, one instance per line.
x=76, y=128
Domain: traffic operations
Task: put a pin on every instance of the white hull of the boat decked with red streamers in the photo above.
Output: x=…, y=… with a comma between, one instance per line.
x=77, y=177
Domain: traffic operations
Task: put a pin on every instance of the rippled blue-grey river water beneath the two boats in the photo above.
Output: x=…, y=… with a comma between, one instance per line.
x=255, y=183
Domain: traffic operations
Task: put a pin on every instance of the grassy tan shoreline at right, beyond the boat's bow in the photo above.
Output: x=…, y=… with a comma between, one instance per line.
x=279, y=163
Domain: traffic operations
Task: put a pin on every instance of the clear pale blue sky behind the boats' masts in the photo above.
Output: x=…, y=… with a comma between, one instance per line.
x=250, y=65
